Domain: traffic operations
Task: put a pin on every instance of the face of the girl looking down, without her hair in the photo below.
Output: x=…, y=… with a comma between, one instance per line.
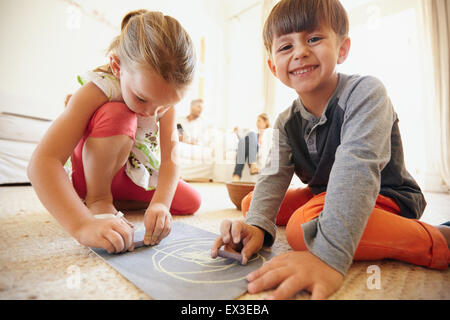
x=144, y=91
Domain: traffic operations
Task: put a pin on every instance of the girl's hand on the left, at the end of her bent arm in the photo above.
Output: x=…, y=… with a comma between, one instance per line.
x=114, y=235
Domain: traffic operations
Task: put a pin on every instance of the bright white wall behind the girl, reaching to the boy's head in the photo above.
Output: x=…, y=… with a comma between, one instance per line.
x=47, y=43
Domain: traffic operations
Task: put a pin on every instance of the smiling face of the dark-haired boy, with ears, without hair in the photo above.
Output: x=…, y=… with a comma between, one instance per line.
x=305, y=61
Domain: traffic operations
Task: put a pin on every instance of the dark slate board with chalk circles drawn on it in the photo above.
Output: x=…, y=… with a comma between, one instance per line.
x=181, y=267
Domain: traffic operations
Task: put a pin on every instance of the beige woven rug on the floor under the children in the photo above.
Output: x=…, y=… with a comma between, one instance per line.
x=39, y=260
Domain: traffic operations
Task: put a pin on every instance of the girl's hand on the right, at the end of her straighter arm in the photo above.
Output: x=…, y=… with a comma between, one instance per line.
x=158, y=223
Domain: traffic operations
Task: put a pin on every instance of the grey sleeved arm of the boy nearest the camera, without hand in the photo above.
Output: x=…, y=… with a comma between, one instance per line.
x=354, y=181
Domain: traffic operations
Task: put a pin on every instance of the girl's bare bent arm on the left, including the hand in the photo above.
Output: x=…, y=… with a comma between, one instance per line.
x=53, y=187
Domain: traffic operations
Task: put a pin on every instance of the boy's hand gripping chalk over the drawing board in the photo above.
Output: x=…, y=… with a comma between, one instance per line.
x=238, y=235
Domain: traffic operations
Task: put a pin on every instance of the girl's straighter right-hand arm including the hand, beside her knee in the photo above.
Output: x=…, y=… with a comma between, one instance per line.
x=158, y=220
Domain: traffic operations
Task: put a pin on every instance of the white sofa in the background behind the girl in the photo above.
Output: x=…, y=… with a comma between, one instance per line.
x=20, y=134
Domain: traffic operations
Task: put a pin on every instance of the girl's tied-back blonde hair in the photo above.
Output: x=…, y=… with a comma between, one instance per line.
x=152, y=39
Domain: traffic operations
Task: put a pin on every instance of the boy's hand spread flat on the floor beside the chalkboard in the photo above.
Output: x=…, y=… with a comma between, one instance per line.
x=293, y=272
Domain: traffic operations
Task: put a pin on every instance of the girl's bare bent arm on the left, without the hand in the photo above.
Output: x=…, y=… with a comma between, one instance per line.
x=46, y=168
